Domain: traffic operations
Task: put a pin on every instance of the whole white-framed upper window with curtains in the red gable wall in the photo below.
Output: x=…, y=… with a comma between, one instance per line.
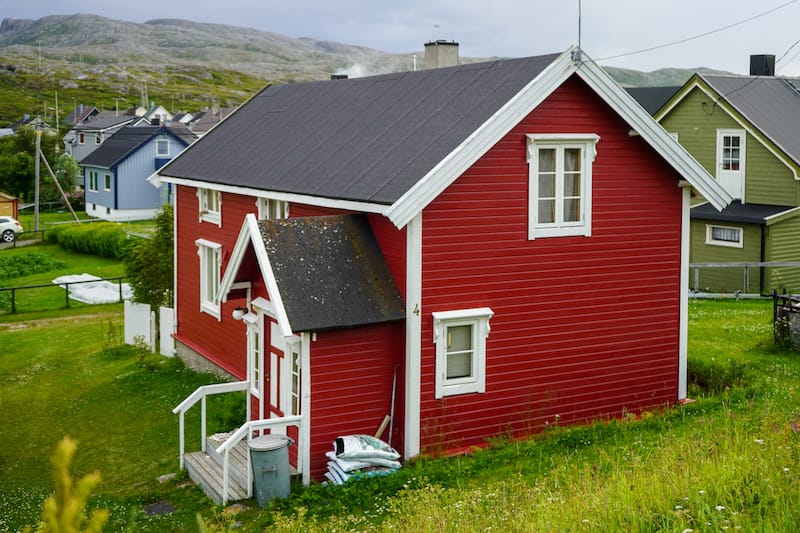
x=559, y=184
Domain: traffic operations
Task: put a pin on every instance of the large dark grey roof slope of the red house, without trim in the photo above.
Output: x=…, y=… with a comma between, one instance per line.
x=364, y=139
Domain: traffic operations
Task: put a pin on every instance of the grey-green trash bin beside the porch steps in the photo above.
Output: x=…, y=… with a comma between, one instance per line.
x=269, y=456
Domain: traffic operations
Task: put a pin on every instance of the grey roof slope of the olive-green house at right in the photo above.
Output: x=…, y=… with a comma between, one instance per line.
x=771, y=104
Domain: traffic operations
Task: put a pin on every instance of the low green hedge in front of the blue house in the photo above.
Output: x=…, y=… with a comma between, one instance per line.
x=104, y=239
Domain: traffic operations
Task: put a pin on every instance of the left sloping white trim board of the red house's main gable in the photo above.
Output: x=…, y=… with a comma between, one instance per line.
x=480, y=141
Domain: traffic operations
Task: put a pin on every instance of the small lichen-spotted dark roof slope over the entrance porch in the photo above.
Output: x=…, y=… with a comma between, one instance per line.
x=330, y=272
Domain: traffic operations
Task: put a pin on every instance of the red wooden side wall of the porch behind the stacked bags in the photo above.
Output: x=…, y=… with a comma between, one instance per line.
x=351, y=386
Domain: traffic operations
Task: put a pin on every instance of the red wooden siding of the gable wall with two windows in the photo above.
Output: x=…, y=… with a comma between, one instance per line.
x=583, y=327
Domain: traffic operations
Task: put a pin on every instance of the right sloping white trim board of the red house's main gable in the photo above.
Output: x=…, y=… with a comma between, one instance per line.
x=652, y=132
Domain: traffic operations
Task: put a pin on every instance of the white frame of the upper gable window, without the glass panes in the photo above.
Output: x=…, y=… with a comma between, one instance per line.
x=587, y=144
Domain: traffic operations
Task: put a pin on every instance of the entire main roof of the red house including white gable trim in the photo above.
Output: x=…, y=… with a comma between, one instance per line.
x=392, y=143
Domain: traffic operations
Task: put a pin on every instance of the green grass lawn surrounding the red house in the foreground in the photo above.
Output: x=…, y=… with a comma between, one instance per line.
x=730, y=460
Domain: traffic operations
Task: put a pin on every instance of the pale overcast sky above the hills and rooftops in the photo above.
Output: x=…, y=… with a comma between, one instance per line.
x=486, y=28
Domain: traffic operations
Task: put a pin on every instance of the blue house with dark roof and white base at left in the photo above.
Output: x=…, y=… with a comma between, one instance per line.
x=116, y=172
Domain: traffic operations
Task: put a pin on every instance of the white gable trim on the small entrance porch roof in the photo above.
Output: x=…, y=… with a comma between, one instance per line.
x=249, y=234
